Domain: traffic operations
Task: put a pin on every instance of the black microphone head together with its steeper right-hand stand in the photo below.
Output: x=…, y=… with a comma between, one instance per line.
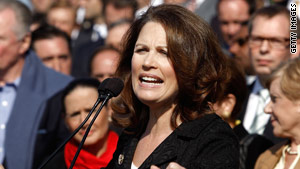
x=111, y=87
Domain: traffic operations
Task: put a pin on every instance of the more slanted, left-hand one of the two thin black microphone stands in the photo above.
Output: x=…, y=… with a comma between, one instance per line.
x=75, y=132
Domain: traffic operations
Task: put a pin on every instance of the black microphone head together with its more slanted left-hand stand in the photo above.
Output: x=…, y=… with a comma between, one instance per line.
x=111, y=87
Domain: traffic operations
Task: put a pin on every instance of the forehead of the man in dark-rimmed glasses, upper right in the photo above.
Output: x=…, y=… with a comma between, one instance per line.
x=270, y=27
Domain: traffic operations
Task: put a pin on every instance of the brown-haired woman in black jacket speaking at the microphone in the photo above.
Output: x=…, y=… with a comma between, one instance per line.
x=172, y=66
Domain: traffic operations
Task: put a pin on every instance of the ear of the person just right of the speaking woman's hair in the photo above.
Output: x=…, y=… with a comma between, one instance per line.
x=227, y=105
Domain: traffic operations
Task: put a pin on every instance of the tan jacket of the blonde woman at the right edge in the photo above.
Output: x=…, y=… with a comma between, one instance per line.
x=271, y=157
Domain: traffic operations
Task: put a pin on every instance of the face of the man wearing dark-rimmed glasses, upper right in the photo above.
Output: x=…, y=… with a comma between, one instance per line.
x=269, y=43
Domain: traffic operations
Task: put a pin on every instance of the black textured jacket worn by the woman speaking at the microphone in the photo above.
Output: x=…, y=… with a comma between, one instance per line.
x=204, y=143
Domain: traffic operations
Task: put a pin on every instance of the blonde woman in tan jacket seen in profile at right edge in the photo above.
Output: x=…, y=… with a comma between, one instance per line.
x=284, y=109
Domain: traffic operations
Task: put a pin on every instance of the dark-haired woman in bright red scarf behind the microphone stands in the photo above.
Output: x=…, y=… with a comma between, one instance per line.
x=78, y=99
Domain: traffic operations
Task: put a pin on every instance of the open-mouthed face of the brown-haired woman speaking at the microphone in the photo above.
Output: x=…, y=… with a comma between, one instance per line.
x=153, y=77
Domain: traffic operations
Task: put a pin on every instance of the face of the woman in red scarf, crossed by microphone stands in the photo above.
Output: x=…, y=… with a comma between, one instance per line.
x=78, y=104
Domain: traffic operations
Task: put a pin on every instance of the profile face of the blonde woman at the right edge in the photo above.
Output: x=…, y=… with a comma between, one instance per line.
x=285, y=114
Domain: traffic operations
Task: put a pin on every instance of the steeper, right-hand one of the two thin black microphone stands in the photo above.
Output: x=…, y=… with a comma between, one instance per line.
x=88, y=129
